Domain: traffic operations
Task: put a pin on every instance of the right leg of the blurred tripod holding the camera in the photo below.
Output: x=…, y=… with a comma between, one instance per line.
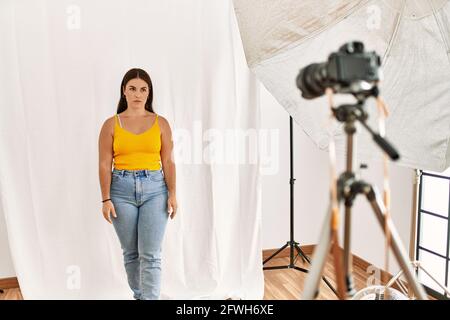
x=397, y=247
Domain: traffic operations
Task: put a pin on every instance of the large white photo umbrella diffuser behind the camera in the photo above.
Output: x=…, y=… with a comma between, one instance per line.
x=281, y=37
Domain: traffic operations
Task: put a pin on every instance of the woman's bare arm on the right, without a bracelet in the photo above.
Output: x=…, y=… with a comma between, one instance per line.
x=168, y=164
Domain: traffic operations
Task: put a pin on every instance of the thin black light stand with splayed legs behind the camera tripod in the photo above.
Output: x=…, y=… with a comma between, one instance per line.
x=292, y=244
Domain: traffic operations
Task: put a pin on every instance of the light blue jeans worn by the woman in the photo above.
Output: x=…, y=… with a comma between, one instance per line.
x=140, y=201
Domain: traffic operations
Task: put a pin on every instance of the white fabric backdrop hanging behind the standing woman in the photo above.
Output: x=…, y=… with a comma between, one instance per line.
x=62, y=63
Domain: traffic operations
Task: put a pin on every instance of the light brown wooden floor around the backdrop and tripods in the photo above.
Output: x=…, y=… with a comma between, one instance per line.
x=284, y=284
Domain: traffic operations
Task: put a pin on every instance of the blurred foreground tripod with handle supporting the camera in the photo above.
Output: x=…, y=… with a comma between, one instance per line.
x=347, y=188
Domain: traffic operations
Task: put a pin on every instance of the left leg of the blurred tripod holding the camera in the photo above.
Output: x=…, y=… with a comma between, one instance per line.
x=318, y=260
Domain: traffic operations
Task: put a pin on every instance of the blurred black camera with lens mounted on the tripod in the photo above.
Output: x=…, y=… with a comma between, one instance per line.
x=349, y=70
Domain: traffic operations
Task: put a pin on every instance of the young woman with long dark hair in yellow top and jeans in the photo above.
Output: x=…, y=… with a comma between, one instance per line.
x=139, y=192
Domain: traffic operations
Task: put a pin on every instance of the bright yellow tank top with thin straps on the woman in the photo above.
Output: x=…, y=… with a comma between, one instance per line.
x=137, y=151
